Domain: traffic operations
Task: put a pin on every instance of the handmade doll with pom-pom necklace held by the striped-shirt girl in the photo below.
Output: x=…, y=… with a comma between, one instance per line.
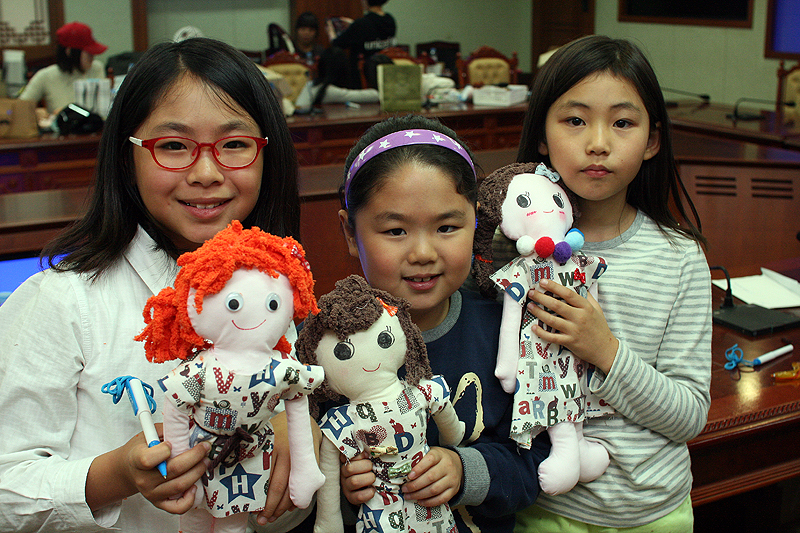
x=549, y=383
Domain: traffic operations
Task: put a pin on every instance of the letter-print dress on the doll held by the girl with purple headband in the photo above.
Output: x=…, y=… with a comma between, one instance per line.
x=393, y=432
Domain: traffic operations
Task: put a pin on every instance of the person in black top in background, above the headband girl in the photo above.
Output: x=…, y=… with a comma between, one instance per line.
x=364, y=36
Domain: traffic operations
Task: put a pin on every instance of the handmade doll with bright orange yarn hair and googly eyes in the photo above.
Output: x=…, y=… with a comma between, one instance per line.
x=234, y=298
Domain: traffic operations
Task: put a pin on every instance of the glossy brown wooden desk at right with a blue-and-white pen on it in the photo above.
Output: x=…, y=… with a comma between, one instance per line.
x=753, y=429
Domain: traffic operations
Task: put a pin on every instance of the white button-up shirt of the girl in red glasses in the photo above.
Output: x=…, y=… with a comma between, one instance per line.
x=61, y=339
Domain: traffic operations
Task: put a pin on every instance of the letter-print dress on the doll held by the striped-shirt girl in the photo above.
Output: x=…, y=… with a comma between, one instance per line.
x=552, y=384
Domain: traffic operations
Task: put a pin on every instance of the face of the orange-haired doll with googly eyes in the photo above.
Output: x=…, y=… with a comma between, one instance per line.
x=251, y=312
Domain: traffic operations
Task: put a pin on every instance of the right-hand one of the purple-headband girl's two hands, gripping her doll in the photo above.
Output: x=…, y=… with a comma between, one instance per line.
x=436, y=478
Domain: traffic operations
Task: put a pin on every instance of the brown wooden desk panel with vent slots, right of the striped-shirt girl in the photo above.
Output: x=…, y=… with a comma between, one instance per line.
x=744, y=180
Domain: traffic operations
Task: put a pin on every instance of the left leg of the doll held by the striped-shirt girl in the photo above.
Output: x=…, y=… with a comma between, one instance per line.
x=561, y=470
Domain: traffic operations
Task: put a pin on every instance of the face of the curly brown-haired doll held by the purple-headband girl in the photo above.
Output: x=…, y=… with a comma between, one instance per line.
x=365, y=360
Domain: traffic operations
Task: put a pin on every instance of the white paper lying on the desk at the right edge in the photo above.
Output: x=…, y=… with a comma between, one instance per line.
x=769, y=289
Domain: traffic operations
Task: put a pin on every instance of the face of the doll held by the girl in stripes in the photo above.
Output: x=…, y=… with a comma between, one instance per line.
x=536, y=207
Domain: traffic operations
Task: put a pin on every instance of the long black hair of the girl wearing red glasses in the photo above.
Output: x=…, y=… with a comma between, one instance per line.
x=116, y=208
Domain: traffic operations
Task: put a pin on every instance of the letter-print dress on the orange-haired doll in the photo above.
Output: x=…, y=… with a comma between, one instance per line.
x=218, y=402
